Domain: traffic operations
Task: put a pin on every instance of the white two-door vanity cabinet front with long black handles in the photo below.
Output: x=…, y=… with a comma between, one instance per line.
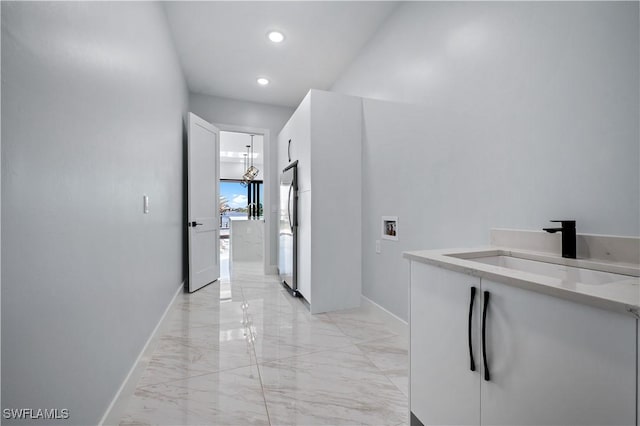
x=550, y=361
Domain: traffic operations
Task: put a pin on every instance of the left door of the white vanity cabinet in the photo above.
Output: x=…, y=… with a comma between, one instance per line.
x=444, y=391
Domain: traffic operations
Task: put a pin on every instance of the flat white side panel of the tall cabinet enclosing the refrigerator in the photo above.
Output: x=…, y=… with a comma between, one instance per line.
x=336, y=202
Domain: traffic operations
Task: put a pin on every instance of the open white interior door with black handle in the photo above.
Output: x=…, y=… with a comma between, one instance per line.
x=203, y=202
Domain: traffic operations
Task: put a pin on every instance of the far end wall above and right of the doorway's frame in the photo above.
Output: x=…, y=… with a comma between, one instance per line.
x=249, y=114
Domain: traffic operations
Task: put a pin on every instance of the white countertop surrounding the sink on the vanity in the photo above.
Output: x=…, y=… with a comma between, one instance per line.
x=621, y=296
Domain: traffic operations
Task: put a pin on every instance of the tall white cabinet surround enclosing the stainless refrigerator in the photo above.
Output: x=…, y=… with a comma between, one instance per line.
x=326, y=139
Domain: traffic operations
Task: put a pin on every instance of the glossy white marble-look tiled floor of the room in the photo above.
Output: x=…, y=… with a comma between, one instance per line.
x=241, y=351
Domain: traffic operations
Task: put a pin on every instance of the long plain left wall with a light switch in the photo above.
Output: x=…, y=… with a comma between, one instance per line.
x=93, y=101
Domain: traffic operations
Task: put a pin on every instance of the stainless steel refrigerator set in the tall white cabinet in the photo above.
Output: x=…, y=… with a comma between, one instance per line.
x=288, y=229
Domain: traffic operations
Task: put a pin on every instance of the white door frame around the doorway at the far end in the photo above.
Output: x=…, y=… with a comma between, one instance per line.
x=268, y=267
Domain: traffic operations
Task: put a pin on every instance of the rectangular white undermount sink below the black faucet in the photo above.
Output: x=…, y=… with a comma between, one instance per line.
x=562, y=272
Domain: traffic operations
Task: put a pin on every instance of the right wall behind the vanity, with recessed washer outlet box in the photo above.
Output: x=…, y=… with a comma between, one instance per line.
x=529, y=112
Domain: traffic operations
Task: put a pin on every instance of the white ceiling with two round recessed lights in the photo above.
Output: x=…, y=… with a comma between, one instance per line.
x=223, y=45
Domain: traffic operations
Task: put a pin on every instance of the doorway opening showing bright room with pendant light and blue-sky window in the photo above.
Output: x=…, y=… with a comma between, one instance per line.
x=242, y=200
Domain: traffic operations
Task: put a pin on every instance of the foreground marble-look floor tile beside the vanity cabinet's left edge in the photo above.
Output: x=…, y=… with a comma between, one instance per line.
x=339, y=387
